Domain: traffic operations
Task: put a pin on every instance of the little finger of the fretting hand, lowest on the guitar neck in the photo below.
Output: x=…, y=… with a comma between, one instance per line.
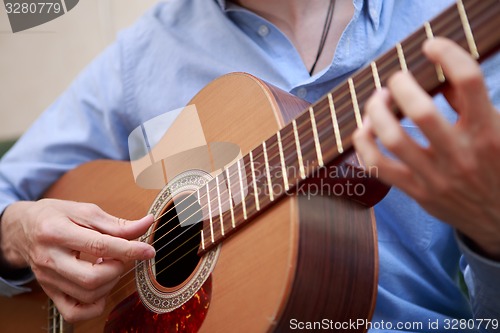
x=389, y=171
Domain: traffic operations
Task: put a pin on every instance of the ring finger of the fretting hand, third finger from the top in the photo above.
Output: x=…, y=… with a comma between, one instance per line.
x=392, y=136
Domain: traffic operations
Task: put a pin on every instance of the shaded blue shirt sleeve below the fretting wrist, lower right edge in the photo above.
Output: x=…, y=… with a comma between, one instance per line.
x=482, y=277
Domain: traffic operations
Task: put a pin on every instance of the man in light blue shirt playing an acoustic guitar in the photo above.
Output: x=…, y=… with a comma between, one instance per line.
x=170, y=54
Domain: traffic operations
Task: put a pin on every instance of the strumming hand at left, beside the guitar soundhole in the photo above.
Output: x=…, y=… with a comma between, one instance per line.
x=51, y=235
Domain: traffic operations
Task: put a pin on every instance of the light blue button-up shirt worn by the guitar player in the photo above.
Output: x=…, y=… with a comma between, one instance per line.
x=172, y=52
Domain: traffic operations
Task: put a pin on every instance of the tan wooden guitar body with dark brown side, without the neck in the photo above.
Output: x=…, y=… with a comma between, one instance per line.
x=307, y=258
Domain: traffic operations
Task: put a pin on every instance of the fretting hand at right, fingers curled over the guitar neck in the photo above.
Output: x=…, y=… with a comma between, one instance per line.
x=457, y=177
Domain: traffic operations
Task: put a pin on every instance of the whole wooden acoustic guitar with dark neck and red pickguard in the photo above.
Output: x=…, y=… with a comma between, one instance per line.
x=245, y=246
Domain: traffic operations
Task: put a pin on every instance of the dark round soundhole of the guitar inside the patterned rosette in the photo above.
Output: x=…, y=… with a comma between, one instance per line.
x=176, y=241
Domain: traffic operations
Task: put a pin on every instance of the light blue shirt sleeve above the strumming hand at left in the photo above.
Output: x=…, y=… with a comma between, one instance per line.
x=85, y=123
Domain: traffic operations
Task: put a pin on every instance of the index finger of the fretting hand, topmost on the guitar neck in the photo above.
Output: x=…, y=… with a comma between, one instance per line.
x=465, y=76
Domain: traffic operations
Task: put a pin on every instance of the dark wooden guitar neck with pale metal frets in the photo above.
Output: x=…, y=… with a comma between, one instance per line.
x=323, y=133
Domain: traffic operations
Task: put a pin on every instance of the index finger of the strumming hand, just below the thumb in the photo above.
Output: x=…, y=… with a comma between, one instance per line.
x=102, y=245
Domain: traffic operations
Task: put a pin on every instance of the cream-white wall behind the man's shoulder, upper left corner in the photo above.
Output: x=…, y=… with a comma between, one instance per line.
x=36, y=65
